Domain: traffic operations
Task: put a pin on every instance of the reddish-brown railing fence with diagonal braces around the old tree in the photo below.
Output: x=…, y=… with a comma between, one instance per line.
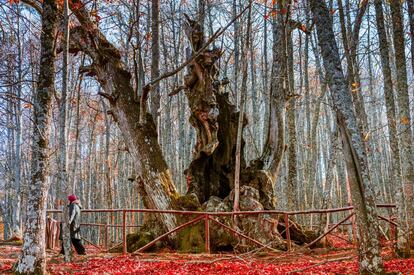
x=209, y=216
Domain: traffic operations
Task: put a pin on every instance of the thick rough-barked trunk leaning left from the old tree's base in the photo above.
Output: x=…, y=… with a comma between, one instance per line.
x=155, y=179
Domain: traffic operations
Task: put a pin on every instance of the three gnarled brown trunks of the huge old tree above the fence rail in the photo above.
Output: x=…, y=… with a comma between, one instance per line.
x=214, y=117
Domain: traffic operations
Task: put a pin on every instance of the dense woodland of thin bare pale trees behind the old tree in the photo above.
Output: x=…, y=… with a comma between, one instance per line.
x=99, y=168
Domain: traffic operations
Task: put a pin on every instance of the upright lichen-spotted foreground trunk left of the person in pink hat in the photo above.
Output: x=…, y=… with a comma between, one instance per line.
x=32, y=259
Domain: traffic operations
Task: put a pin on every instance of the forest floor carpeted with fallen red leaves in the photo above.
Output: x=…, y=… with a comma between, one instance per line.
x=340, y=259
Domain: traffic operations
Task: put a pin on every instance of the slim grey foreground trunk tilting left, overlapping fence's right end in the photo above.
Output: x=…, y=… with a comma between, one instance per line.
x=363, y=197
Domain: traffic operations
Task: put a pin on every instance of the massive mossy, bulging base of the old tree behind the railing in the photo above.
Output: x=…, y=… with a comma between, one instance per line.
x=267, y=229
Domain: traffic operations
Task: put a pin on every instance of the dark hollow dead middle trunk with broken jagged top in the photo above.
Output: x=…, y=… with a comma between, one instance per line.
x=211, y=172
